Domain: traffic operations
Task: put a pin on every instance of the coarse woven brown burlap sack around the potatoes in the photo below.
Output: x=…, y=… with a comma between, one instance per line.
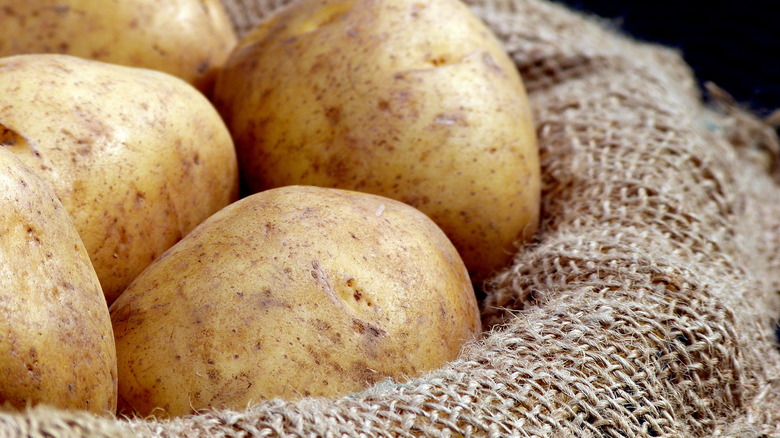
x=645, y=308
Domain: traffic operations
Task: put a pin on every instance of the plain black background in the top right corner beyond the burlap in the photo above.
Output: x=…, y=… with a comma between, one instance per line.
x=735, y=44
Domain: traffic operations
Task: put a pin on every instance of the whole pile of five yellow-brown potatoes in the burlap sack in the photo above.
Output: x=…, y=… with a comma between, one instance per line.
x=193, y=221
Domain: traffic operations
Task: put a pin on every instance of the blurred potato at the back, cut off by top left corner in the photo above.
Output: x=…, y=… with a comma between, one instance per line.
x=187, y=38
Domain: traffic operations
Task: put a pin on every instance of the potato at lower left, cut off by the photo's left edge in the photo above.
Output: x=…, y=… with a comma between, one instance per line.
x=56, y=342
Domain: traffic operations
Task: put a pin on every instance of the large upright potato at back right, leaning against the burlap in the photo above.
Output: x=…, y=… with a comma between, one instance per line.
x=416, y=101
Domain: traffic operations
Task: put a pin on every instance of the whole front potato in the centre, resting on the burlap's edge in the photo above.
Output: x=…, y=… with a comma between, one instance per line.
x=292, y=292
